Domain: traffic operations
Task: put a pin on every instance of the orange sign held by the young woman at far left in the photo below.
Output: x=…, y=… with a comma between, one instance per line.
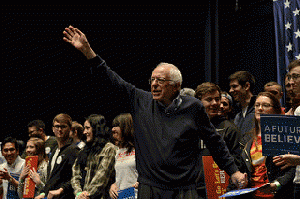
x=29, y=185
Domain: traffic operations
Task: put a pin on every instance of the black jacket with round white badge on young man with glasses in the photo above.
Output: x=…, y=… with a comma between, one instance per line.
x=62, y=172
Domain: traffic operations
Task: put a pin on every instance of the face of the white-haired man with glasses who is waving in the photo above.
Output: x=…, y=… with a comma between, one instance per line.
x=161, y=87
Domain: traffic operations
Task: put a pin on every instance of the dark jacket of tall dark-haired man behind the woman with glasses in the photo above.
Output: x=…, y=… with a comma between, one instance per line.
x=246, y=123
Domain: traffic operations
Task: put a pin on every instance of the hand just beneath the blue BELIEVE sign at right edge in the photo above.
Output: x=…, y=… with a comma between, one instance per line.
x=286, y=161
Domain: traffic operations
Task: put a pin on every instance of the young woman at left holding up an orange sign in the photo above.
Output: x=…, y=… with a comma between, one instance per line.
x=35, y=147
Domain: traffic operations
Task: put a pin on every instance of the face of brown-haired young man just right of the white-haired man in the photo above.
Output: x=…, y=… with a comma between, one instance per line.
x=211, y=102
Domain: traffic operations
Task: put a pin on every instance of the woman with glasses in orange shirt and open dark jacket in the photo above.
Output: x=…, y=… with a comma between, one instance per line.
x=261, y=169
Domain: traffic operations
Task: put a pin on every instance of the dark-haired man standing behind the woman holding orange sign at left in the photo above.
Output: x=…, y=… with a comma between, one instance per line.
x=37, y=127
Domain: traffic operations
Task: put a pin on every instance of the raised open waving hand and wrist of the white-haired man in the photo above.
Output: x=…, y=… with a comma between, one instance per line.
x=78, y=39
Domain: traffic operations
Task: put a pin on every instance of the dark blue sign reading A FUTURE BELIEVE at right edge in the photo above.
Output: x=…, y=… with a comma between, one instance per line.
x=280, y=134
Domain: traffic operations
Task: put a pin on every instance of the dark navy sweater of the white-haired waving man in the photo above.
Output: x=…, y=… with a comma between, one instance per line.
x=166, y=138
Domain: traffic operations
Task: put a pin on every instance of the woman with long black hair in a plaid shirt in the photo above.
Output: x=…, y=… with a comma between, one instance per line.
x=93, y=168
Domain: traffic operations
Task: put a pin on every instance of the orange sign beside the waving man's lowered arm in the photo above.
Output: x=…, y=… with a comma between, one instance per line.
x=216, y=180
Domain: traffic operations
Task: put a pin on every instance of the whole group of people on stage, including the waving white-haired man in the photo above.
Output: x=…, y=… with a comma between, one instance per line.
x=157, y=147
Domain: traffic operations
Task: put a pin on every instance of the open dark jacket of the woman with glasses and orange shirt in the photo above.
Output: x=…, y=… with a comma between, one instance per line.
x=284, y=177
